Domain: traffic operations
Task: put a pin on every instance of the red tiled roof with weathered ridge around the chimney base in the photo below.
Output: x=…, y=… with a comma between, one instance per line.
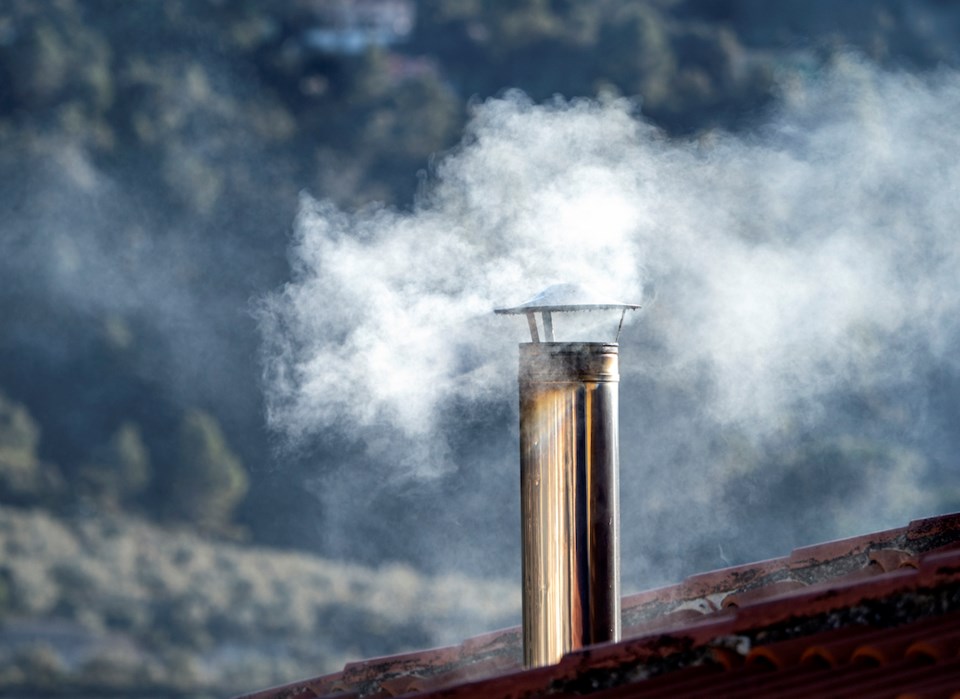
x=870, y=616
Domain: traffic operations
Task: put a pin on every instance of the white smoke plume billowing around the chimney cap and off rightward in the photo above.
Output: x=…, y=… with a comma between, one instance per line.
x=805, y=291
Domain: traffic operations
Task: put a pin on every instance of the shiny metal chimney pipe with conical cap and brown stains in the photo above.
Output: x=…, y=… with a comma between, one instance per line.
x=569, y=481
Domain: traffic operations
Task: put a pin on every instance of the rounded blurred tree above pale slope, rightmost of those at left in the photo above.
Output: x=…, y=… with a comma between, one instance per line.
x=208, y=480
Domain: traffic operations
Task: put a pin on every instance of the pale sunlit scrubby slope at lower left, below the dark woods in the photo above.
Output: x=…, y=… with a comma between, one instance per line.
x=98, y=604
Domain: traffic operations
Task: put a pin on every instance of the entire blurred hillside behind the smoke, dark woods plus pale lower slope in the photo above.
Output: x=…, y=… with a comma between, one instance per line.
x=151, y=159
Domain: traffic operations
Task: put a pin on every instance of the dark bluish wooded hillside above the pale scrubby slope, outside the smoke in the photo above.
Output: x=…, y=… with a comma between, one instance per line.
x=151, y=155
